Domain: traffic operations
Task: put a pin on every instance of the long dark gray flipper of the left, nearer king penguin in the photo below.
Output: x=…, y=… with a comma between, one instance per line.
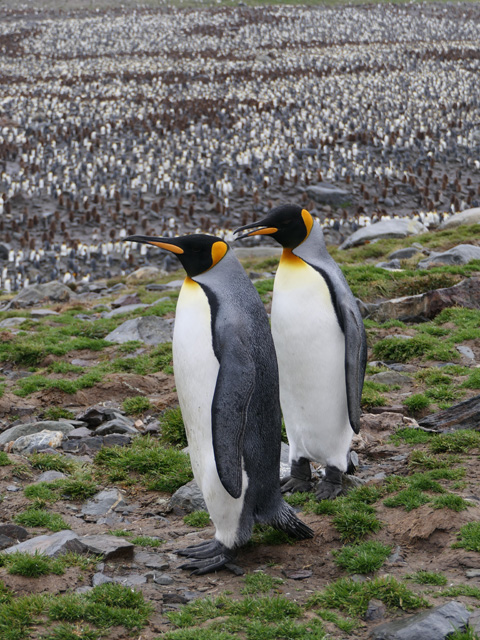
x=235, y=385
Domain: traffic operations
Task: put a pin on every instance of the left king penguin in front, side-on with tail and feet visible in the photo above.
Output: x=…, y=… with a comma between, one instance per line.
x=226, y=376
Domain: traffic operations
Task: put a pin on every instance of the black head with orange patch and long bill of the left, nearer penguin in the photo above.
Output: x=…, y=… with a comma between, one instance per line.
x=197, y=252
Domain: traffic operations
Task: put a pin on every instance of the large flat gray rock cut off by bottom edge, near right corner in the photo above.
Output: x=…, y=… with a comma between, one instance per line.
x=435, y=624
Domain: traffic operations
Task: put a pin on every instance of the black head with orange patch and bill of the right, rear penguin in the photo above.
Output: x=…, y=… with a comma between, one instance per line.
x=288, y=224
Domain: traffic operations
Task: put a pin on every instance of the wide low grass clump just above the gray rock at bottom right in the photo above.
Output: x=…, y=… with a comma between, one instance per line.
x=353, y=597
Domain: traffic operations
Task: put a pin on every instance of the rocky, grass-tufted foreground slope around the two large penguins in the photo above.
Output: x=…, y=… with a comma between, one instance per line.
x=92, y=454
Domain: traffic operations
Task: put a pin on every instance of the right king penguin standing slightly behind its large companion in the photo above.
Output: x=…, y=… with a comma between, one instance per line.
x=321, y=349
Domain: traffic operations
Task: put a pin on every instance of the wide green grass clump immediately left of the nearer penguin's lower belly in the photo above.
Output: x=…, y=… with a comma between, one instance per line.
x=159, y=468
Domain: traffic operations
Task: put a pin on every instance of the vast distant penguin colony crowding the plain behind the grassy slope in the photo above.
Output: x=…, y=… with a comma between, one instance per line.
x=167, y=121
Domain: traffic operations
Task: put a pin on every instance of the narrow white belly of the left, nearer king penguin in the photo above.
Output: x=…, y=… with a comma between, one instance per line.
x=196, y=369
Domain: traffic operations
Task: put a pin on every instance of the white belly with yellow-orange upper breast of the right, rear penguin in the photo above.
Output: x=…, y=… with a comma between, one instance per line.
x=310, y=347
